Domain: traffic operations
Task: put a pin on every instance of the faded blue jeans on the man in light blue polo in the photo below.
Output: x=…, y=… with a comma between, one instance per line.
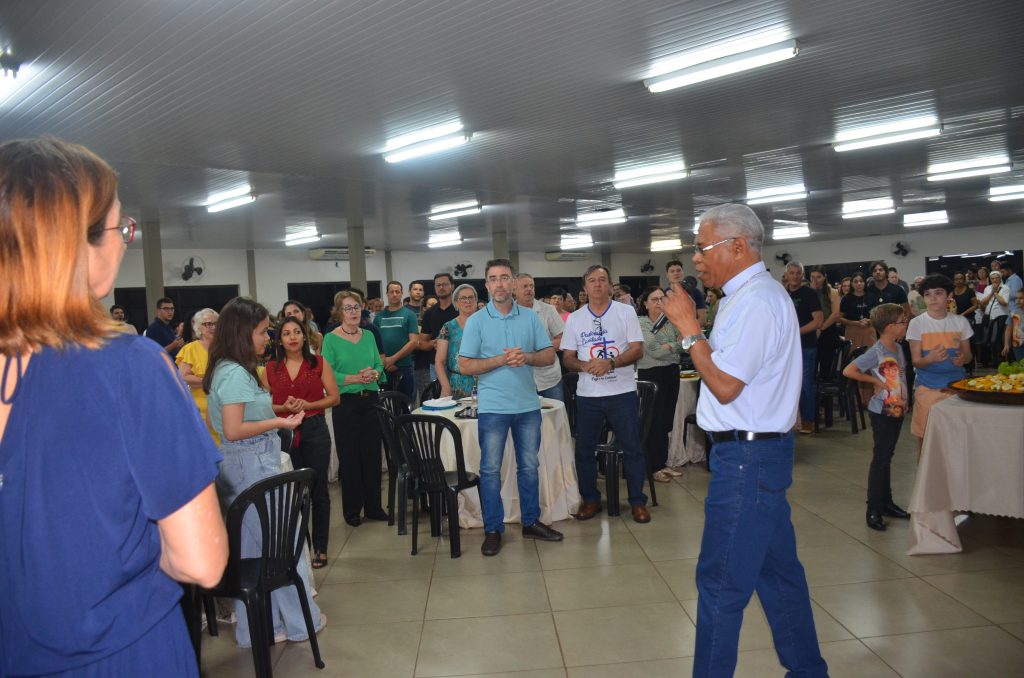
x=494, y=432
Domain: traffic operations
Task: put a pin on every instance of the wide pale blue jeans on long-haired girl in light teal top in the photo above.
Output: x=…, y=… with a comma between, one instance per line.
x=246, y=462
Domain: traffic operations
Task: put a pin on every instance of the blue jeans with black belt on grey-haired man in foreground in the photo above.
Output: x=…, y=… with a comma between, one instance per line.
x=749, y=545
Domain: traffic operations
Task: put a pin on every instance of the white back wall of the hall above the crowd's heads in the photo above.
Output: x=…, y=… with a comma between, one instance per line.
x=276, y=269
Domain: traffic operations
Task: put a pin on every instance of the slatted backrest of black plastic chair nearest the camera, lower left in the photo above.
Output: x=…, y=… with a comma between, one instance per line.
x=282, y=504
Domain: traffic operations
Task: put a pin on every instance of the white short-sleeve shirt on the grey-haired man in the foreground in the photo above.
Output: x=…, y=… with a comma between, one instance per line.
x=756, y=341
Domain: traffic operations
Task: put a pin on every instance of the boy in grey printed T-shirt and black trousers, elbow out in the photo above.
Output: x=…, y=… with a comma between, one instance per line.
x=883, y=367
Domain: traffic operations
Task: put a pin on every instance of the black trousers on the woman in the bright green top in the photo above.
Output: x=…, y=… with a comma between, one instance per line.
x=358, y=439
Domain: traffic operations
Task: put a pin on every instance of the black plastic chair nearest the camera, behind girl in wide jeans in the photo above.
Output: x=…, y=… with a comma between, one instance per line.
x=282, y=502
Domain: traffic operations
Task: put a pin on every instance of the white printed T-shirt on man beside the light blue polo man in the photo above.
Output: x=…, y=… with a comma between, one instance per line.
x=605, y=336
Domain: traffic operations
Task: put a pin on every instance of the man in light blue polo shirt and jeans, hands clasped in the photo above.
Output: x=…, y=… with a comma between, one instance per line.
x=501, y=345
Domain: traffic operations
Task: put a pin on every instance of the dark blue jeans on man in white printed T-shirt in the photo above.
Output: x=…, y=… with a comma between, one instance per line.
x=623, y=413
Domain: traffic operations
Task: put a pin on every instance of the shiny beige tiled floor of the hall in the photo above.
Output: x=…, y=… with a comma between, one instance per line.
x=619, y=600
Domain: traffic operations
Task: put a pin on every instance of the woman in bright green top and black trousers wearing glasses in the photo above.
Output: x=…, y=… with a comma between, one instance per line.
x=353, y=355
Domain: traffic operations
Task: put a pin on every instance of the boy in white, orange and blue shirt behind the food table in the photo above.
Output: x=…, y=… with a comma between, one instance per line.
x=940, y=349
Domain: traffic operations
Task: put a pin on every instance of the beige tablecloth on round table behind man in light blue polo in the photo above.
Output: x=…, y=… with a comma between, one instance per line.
x=559, y=488
